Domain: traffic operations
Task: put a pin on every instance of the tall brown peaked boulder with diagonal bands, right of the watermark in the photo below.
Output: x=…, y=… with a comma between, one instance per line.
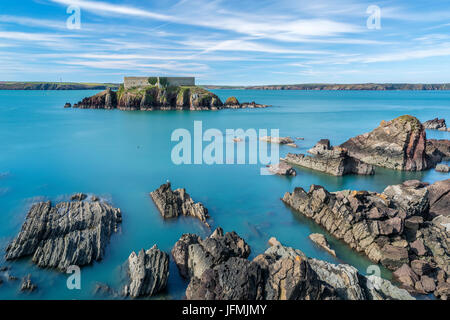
x=397, y=144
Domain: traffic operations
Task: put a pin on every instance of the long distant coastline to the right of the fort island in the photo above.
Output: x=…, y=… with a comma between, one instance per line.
x=328, y=86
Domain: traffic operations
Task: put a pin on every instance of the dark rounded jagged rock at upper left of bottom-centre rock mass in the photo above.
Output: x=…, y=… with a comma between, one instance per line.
x=193, y=255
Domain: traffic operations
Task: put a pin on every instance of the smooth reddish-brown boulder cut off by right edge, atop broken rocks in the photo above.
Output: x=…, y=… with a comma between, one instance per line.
x=439, y=198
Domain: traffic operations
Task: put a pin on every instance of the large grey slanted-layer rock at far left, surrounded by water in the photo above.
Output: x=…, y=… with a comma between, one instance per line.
x=68, y=233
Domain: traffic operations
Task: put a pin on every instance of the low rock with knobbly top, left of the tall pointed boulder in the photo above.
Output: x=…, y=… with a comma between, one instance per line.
x=332, y=160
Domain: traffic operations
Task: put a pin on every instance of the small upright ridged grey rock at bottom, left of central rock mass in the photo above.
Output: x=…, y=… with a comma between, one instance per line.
x=148, y=273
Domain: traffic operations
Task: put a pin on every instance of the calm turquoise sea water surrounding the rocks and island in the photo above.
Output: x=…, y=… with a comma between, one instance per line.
x=48, y=152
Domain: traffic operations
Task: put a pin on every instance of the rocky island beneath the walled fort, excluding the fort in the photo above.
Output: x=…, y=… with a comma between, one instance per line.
x=160, y=98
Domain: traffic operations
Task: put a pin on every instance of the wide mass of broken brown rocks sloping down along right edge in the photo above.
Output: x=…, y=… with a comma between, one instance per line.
x=396, y=228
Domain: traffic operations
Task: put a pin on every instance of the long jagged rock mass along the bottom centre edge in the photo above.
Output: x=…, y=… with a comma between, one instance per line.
x=218, y=272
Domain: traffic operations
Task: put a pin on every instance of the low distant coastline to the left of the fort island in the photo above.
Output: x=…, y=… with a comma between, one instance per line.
x=17, y=85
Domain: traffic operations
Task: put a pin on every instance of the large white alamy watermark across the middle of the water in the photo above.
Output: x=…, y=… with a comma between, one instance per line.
x=214, y=147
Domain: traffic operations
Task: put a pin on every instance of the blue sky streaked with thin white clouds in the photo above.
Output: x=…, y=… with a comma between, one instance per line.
x=226, y=42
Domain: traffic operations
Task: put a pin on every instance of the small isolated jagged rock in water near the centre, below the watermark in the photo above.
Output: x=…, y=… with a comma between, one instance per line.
x=174, y=203
